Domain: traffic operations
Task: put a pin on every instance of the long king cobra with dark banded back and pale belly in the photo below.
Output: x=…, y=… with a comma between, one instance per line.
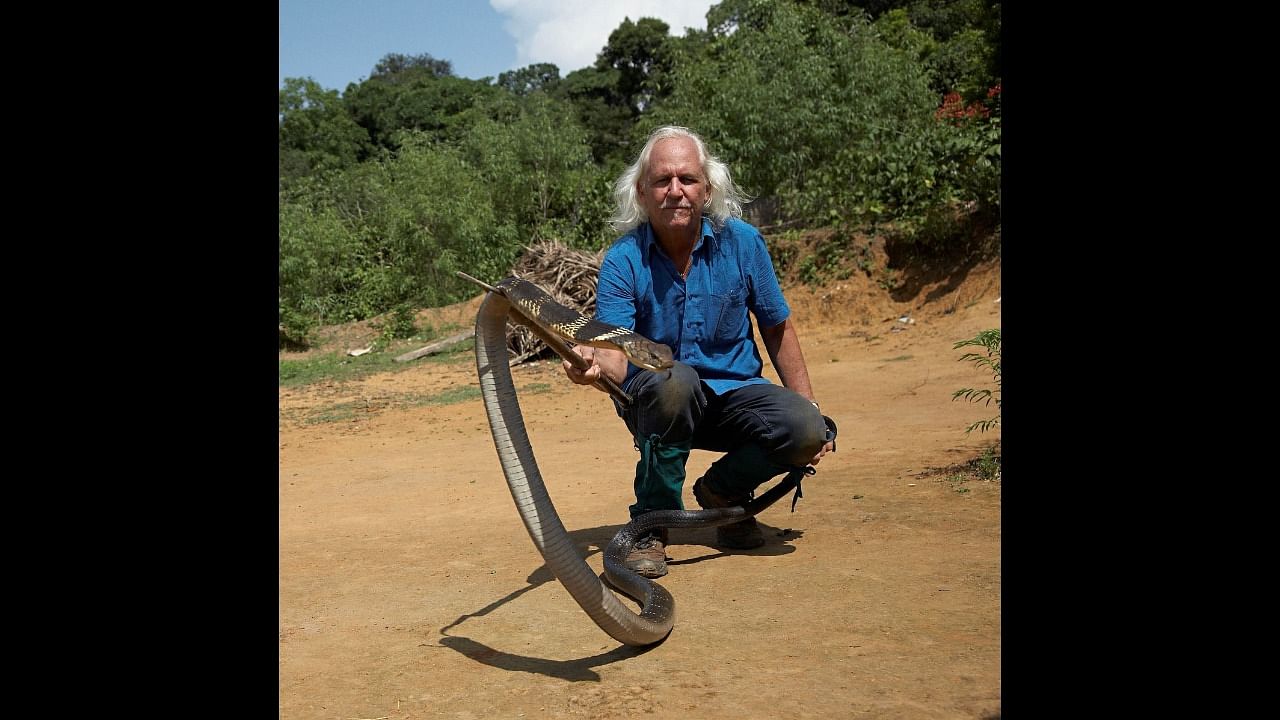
x=557, y=326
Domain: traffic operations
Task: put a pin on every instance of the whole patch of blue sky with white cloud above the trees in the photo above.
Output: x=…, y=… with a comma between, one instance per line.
x=340, y=42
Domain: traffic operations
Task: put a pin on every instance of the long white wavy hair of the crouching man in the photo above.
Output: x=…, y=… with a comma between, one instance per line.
x=725, y=198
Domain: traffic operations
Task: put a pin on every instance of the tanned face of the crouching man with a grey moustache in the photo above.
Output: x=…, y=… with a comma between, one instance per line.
x=674, y=190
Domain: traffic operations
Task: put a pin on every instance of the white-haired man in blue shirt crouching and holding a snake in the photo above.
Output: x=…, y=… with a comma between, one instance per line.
x=685, y=274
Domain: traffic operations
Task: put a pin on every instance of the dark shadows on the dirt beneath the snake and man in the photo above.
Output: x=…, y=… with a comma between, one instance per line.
x=595, y=540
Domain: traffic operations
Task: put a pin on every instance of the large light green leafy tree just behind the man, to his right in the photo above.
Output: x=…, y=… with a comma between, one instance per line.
x=783, y=92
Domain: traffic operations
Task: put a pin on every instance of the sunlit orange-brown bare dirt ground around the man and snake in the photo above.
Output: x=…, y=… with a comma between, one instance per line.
x=410, y=589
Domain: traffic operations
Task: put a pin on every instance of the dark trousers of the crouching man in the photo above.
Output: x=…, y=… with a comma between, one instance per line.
x=679, y=409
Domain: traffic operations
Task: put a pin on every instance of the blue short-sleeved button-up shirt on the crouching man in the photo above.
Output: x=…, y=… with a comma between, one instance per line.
x=703, y=318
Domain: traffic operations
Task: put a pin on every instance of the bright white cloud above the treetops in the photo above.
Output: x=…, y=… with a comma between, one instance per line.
x=572, y=33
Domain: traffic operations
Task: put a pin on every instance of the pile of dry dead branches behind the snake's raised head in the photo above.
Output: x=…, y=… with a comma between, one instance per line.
x=566, y=275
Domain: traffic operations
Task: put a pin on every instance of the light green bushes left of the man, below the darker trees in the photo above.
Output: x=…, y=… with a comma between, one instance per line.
x=394, y=231
